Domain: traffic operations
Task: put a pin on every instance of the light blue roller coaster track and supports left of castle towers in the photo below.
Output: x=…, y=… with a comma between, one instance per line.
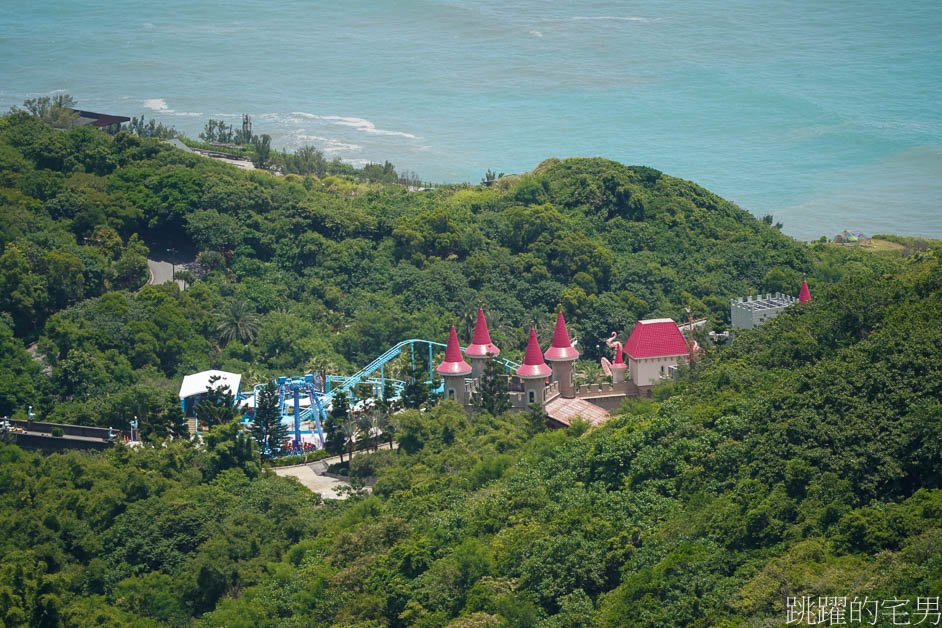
x=290, y=389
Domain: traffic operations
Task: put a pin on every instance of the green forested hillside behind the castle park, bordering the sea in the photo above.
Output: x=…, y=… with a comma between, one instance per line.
x=327, y=273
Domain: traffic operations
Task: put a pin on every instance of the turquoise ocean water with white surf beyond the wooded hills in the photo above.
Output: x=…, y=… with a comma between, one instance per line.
x=826, y=114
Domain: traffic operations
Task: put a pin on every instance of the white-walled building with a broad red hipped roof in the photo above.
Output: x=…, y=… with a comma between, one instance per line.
x=654, y=346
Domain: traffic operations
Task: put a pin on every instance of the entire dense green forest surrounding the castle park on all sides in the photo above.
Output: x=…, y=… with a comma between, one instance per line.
x=804, y=459
